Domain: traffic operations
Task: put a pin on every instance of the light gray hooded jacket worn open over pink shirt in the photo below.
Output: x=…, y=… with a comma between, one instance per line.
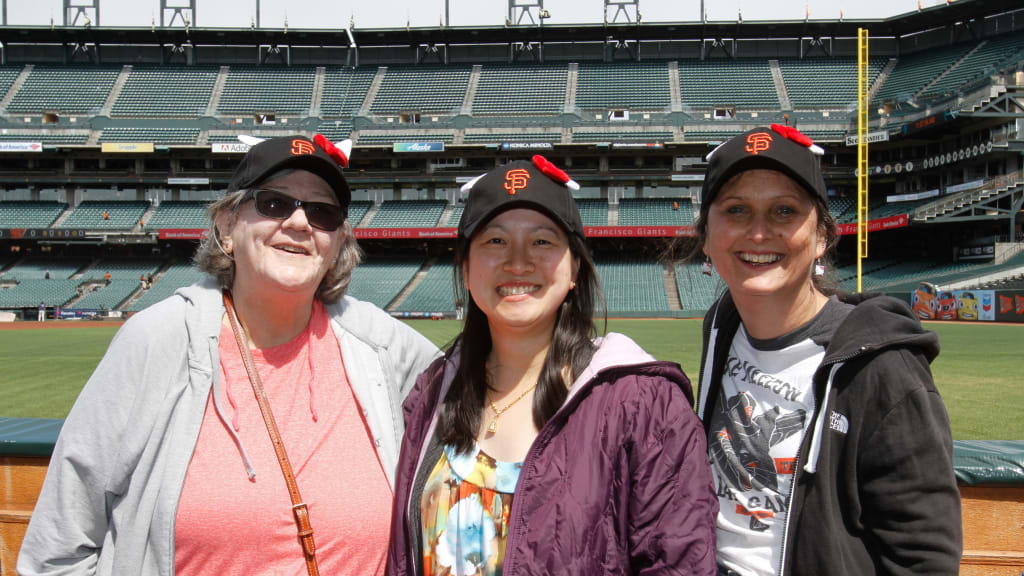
x=110, y=500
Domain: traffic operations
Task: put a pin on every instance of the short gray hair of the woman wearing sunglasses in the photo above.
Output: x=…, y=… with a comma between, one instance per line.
x=211, y=258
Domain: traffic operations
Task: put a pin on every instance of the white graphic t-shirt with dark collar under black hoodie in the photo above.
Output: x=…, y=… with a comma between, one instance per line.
x=758, y=423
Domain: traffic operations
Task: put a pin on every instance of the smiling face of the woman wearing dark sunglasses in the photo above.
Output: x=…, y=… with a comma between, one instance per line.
x=286, y=257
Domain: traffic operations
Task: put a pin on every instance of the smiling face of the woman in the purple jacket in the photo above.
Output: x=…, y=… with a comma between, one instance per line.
x=520, y=270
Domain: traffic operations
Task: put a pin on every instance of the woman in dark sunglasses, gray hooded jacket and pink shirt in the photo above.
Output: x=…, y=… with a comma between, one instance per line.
x=166, y=463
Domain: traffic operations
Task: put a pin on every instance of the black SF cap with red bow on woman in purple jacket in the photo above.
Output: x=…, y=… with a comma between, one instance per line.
x=533, y=184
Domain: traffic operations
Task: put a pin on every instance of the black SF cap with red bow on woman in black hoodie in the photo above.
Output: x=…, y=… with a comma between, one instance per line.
x=778, y=148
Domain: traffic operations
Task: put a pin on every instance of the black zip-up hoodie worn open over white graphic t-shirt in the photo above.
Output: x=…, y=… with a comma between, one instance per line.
x=875, y=491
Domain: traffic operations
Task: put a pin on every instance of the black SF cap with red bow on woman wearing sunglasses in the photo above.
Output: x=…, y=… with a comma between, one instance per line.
x=296, y=152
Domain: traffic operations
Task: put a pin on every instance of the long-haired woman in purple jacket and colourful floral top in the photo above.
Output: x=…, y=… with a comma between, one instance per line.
x=530, y=447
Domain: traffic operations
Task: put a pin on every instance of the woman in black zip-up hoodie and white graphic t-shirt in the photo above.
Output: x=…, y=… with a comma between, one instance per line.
x=831, y=446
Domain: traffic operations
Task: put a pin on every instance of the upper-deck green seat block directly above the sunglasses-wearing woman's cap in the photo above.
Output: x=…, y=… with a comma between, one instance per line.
x=268, y=91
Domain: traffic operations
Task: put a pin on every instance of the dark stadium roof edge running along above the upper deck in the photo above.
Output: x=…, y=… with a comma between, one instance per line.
x=937, y=17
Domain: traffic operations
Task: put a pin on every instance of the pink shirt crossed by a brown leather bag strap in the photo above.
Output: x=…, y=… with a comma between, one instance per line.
x=228, y=524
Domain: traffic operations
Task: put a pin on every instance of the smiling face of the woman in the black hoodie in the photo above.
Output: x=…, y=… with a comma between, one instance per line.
x=763, y=236
